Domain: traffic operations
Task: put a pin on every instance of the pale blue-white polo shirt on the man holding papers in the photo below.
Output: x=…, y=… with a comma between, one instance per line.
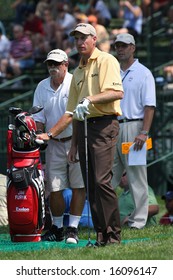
x=139, y=91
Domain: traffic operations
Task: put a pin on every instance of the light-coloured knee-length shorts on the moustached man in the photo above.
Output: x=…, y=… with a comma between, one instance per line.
x=60, y=174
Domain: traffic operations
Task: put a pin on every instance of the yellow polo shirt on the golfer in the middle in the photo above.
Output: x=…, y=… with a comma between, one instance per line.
x=101, y=73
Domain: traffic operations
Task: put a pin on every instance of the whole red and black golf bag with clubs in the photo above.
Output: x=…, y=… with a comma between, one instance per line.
x=25, y=180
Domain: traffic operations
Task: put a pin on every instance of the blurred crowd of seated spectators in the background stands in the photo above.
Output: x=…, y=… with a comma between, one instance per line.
x=42, y=25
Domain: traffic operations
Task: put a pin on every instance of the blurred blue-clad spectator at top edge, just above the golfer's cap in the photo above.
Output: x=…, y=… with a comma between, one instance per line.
x=101, y=10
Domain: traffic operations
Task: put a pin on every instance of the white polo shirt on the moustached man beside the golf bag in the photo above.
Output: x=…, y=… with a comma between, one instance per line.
x=53, y=103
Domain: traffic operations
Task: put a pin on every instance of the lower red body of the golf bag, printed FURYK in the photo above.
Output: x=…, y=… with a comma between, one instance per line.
x=25, y=202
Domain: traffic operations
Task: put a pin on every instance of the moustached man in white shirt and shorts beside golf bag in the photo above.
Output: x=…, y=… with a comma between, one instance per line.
x=52, y=94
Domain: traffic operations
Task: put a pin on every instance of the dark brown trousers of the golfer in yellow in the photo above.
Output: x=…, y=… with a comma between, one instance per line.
x=102, y=136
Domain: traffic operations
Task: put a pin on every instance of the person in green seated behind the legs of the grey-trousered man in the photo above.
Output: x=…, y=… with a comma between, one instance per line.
x=126, y=203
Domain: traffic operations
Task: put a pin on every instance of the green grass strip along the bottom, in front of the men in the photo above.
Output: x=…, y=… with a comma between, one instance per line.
x=150, y=243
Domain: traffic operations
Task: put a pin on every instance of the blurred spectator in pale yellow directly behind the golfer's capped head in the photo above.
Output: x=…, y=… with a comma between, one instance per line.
x=103, y=42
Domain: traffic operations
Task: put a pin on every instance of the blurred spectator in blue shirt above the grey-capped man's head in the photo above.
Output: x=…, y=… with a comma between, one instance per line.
x=132, y=15
